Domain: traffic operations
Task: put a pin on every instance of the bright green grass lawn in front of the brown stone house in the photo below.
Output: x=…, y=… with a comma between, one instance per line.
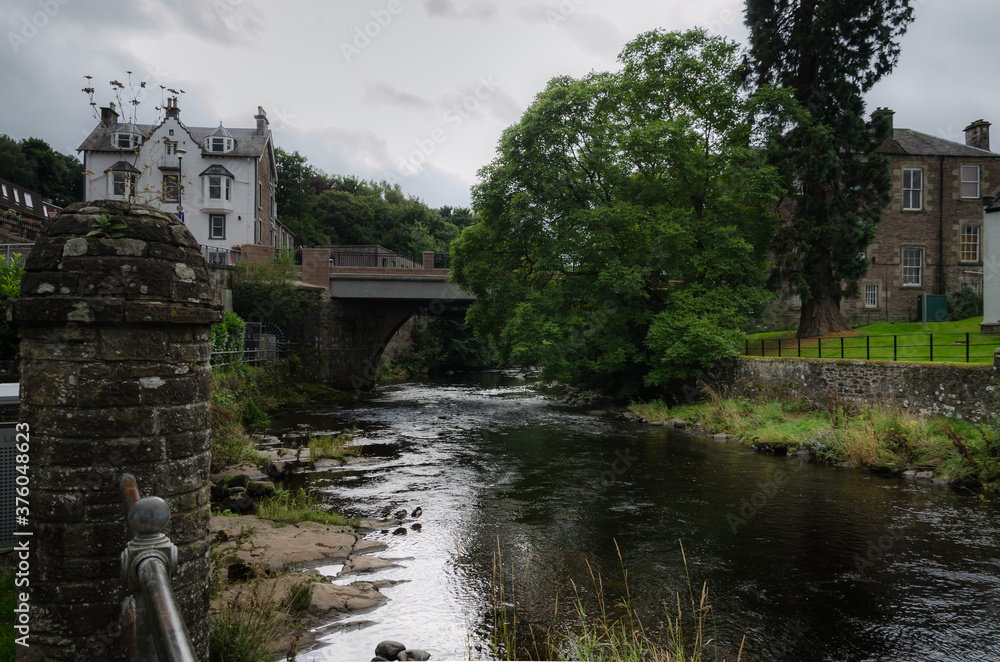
x=958, y=341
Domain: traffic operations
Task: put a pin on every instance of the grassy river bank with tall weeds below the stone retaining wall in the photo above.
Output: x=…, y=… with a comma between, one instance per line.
x=880, y=439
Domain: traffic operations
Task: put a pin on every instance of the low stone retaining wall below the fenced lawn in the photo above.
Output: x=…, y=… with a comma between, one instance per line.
x=957, y=390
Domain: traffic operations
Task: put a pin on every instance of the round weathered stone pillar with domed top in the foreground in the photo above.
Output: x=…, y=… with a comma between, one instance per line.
x=115, y=378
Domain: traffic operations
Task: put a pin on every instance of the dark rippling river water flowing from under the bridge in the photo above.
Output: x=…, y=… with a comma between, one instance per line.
x=806, y=562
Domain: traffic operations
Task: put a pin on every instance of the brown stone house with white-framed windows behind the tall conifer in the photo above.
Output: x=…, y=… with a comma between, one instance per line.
x=930, y=239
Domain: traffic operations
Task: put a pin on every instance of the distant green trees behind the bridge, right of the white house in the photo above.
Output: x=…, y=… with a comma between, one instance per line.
x=344, y=210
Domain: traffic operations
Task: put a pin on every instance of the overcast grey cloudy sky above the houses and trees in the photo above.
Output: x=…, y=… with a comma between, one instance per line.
x=411, y=91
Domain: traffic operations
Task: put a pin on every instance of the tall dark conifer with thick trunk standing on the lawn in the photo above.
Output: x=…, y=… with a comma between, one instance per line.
x=828, y=53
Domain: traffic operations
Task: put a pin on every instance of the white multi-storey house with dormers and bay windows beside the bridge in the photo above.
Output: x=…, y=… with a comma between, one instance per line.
x=220, y=181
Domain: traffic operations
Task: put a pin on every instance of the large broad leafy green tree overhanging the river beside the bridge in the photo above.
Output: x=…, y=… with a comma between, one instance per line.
x=625, y=222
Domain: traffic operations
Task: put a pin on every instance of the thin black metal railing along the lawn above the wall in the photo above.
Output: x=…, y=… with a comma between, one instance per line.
x=951, y=347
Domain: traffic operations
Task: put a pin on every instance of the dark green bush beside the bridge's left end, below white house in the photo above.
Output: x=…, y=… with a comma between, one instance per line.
x=263, y=292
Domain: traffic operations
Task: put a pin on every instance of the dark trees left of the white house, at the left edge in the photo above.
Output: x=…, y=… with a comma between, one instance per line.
x=33, y=164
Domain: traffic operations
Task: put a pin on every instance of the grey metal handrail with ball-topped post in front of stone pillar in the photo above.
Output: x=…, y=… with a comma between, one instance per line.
x=153, y=626
